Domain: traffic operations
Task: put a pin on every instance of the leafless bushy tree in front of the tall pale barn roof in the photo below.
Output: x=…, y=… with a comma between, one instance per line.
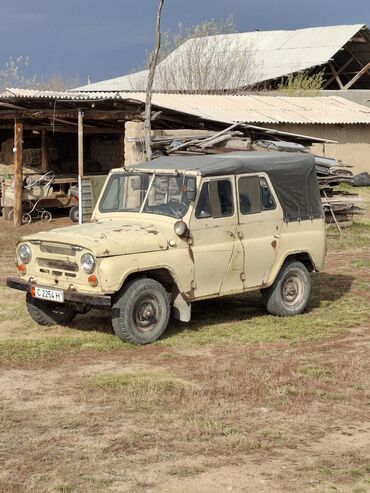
x=207, y=57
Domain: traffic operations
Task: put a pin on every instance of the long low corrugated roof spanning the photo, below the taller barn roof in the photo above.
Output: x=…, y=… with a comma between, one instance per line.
x=253, y=109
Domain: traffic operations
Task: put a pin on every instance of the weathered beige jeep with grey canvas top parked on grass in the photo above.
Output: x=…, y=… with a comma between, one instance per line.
x=176, y=230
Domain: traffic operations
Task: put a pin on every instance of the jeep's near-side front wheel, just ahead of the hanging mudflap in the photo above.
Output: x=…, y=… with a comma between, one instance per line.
x=141, y=311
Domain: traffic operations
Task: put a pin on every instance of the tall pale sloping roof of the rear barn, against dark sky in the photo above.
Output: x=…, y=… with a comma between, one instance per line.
x=275, y=54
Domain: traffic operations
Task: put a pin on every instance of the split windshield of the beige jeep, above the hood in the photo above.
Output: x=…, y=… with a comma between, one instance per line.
x=143, y=192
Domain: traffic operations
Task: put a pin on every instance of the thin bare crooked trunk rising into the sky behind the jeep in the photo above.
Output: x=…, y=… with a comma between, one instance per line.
x=149, y=88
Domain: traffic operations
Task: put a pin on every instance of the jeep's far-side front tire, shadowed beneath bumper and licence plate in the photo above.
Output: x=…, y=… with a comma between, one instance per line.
x=49, y=313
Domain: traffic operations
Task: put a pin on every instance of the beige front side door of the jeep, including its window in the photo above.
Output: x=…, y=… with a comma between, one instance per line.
x=216, y=249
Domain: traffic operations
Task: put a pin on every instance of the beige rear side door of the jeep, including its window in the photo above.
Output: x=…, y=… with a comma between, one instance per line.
x=260, y=220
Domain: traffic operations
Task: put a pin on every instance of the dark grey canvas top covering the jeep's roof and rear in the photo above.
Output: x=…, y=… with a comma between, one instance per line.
x=291, y=173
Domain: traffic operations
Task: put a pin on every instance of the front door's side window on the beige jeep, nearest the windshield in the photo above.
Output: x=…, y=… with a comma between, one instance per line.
x=215, y=200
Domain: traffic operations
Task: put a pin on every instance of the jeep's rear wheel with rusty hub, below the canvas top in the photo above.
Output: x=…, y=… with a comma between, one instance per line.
x=289, y=294
